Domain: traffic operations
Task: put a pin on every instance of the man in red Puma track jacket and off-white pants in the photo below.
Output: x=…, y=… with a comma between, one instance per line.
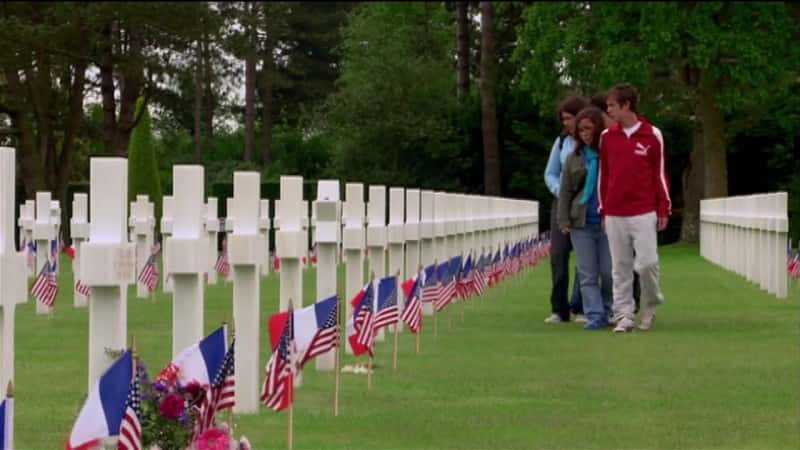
x=634, y=203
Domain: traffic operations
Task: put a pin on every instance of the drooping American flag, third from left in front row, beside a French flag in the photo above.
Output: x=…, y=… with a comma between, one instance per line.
x=278, y=388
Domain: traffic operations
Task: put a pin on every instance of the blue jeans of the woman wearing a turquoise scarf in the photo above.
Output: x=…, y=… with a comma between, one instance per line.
x=594, y=271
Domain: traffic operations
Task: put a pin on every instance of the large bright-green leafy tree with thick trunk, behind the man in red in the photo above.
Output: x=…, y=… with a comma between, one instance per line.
x=715, y=63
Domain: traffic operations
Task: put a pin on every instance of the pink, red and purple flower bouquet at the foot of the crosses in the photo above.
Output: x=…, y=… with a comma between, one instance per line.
x=170, y=414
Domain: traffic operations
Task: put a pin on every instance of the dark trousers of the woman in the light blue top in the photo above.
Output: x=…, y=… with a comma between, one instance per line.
x=561, y=246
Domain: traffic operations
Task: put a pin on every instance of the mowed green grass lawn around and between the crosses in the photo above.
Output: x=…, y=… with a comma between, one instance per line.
x=721, y=369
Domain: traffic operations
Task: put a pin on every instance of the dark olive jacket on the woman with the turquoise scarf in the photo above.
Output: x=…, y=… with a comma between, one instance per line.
x=571, y=213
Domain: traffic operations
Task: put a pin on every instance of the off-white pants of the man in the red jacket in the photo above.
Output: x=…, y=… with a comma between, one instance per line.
x=629, y=236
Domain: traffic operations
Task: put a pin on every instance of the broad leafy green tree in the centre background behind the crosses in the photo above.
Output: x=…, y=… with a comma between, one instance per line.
x=392, y=115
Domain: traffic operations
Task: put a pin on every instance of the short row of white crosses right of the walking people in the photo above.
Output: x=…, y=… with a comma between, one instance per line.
x=748, y=235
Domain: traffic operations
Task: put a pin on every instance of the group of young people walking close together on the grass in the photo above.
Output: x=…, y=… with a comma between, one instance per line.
x=610, y=198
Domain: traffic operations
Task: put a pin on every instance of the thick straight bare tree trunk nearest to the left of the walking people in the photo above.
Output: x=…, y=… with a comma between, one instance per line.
x=491, y=156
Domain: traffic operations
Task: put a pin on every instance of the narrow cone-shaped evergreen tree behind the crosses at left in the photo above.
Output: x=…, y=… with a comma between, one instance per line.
x=142, y=165
